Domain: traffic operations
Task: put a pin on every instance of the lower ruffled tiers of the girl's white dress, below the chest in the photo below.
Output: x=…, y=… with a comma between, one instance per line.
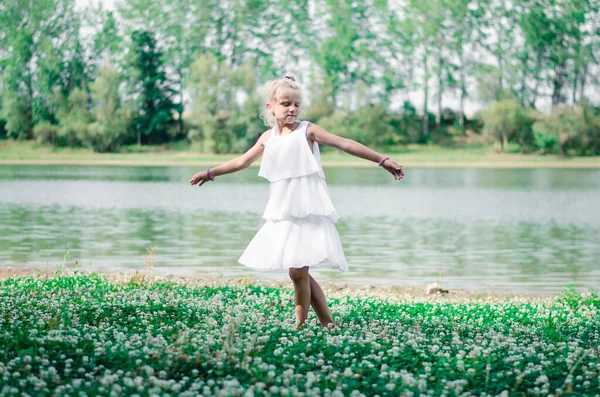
x=299, y=229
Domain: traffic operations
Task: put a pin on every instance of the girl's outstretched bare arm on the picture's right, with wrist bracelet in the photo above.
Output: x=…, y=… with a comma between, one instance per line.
x=316, y=133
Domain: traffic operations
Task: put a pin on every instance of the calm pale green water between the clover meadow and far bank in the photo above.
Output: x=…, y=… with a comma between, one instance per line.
x=530, y=231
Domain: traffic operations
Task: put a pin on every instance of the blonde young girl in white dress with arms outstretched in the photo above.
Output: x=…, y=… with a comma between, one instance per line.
x=299, y=232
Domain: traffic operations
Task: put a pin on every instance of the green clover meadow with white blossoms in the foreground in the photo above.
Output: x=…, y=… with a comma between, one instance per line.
x=66, y=334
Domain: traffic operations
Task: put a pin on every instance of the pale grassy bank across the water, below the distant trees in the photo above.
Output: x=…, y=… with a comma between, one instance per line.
x=28, y=152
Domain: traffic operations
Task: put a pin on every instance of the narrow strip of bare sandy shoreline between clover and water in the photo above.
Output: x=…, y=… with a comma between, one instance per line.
x=330, y=288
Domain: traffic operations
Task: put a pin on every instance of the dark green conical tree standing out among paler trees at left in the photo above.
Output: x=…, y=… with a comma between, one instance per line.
x=151, y=88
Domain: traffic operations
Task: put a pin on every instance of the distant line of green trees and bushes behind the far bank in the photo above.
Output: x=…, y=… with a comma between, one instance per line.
x=102, y=79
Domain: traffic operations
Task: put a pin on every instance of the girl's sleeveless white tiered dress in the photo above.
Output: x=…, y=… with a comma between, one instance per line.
x=300, y=218
